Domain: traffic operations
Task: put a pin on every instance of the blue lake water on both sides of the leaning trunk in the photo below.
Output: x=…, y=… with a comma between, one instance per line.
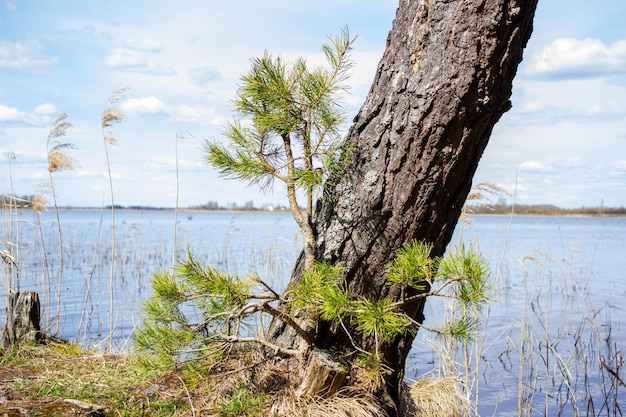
x=555, y=321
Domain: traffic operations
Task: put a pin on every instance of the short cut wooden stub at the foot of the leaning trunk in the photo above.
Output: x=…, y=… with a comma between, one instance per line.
x=324, y=376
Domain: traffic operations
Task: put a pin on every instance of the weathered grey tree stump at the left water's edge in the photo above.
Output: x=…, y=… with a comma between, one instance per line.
x=23, y=319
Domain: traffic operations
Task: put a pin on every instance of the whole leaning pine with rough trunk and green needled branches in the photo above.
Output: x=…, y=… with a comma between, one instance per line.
x=393, y=191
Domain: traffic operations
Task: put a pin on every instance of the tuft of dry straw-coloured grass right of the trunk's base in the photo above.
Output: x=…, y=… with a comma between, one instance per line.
x=436, y=397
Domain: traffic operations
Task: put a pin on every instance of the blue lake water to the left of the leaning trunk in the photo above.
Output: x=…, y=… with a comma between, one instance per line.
x=266, y=243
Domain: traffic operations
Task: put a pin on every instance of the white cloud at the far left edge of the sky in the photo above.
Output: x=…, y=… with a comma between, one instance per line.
x=24, y=56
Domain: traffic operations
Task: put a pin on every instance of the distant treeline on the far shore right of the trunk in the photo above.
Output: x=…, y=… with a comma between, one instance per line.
x=546, y=210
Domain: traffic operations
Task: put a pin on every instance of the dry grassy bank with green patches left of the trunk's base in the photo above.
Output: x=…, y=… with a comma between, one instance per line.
x=62, y=379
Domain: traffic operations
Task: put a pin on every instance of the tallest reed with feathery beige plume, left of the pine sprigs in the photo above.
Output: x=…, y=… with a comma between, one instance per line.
x=111, y=116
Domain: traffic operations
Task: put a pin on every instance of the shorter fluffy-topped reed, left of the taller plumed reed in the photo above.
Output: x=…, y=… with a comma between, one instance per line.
x=58, y=161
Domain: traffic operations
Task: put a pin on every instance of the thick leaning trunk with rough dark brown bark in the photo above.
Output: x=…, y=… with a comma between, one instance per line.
x=444, y=80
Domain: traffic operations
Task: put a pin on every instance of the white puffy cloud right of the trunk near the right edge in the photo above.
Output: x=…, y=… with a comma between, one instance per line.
x=568, y=58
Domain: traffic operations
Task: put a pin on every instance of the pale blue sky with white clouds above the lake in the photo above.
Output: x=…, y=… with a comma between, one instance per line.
x=563, y=143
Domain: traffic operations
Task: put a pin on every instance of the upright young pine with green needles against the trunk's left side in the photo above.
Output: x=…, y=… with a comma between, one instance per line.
x=289, y=128
